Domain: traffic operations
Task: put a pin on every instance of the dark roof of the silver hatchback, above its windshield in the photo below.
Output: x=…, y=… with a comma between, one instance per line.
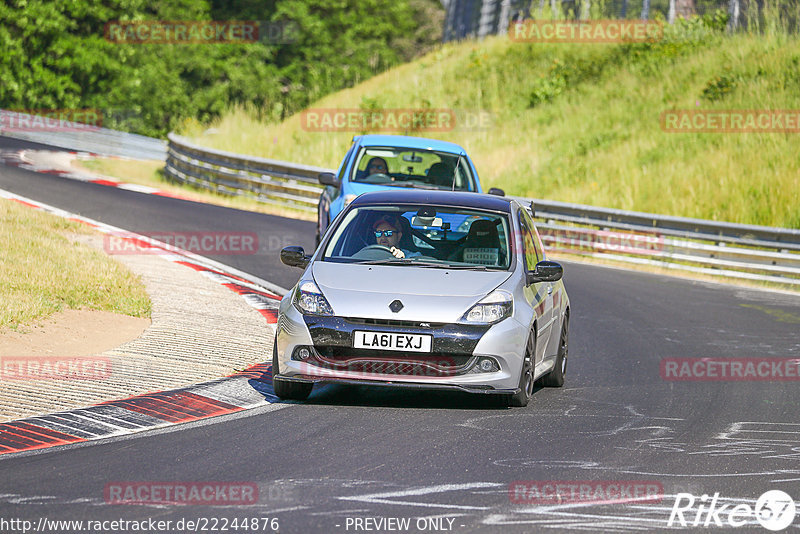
x=441, y=198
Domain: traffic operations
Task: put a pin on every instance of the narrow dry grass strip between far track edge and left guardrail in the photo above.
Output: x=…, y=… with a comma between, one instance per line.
x=150, y=173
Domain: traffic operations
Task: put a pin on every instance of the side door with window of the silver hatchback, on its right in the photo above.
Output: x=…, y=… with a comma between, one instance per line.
x=539, y=295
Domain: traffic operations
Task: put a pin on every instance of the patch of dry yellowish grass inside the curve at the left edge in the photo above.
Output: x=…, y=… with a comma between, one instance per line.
x=42, y=272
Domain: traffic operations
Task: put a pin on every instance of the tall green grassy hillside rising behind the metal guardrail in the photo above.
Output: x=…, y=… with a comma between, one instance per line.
x=580, y=122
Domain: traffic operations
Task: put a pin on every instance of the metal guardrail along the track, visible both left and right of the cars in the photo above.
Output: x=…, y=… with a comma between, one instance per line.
x=714, y=248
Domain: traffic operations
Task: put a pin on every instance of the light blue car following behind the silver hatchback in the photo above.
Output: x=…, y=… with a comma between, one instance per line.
x=380, y=162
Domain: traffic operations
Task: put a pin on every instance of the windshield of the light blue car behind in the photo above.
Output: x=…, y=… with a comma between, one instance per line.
x=408, y=167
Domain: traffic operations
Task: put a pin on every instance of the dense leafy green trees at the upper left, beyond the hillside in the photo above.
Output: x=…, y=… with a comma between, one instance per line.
x=53, y=56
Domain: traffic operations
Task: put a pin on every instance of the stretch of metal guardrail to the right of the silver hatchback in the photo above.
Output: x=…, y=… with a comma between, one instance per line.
x=679, y=243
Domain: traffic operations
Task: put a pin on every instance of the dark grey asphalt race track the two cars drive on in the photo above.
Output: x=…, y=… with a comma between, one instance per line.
x=444, y=460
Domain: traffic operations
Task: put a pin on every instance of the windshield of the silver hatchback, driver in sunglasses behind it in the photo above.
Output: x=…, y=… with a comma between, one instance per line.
x=427, y=236
